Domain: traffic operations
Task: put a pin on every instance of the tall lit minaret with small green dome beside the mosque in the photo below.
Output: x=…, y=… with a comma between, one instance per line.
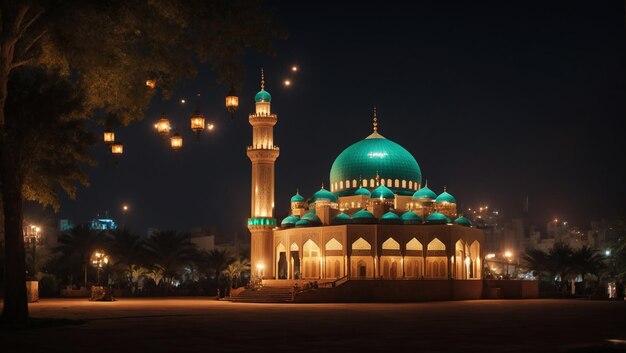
x=262, y=154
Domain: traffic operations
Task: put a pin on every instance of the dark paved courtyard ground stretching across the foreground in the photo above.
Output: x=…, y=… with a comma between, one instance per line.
x=206, y=325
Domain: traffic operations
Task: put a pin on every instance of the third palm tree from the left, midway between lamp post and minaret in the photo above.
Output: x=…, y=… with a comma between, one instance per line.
x=168, y=253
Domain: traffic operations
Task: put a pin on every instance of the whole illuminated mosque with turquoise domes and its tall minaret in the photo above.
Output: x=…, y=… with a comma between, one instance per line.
x=376, y=219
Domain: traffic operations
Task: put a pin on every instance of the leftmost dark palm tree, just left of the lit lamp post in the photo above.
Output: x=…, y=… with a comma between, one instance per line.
x=76, y=246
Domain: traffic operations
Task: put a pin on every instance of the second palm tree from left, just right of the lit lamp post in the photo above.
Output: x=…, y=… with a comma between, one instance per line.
x=128, y=253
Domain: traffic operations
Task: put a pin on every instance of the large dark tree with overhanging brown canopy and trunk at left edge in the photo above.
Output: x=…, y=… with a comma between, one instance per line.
x=108, y=49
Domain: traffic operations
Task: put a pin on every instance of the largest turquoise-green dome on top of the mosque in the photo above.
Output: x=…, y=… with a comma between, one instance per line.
x=373, y=155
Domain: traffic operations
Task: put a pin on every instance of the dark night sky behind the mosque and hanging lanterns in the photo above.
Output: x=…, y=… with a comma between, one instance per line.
x=496, y=101
